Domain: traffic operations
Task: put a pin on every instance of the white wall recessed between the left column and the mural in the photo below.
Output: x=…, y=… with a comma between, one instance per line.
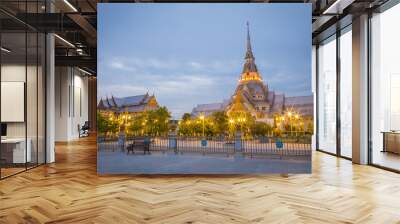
x=71, y=103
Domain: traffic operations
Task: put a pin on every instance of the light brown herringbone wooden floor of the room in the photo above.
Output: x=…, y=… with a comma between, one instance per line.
x=70, y=191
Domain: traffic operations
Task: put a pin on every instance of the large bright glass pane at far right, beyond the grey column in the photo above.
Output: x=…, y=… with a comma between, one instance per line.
x=386, y=89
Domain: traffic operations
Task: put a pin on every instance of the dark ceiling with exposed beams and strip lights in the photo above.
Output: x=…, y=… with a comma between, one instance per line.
x=75, y=21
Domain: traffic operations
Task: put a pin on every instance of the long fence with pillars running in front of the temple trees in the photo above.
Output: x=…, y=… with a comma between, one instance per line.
x=248, y=146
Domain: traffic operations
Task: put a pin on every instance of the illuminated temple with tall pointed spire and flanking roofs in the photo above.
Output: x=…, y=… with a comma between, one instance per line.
x=253, y=95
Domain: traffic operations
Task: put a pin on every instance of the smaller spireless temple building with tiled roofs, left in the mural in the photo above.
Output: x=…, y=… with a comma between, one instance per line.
x=131, y=104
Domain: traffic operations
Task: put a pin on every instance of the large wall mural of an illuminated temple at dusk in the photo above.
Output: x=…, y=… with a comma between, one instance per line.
x=204, y=88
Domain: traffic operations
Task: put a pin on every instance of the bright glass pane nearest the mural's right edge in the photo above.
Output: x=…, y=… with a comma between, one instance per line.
x=327, y=96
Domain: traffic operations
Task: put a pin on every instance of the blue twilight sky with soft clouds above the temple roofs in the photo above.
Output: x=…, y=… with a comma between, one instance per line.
x=189, y=54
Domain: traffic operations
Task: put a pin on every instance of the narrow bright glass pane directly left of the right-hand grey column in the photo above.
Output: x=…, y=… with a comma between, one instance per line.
x=346, y=94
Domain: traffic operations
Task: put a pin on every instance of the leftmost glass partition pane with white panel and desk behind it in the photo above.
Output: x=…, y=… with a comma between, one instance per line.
x=13, y=87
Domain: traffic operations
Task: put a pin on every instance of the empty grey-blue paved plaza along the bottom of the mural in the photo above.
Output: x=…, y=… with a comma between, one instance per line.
x=194, y=163
